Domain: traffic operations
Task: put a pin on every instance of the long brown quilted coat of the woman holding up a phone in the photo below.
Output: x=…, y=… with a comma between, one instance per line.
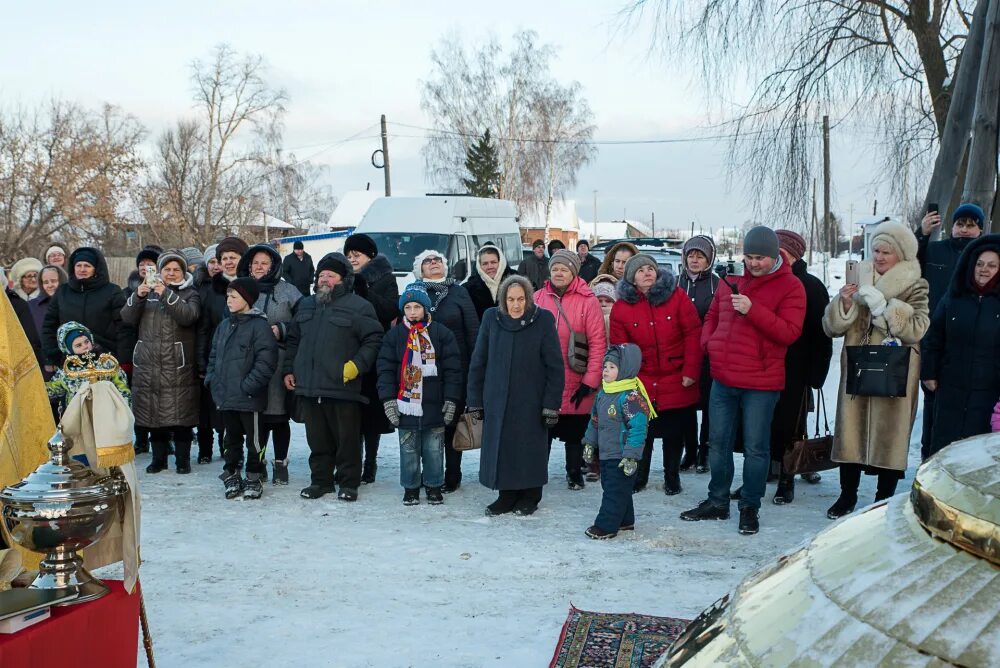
x=165, y=381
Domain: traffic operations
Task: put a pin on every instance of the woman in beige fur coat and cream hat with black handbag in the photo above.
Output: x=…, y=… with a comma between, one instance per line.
x=873, y=433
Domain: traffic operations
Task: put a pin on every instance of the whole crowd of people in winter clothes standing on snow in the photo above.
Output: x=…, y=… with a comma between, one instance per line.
x=231, y=344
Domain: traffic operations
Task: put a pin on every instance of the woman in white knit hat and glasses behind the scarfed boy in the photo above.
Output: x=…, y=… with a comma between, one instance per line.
x=452, y=307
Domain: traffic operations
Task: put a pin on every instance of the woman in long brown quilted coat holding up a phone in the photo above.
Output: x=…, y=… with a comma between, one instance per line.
x=165, y=381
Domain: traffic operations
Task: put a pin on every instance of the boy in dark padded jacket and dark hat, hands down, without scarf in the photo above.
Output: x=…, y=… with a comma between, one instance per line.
x=243, y=358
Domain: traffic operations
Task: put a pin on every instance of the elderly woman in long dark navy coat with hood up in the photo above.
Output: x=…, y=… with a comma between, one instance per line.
x=516, y=383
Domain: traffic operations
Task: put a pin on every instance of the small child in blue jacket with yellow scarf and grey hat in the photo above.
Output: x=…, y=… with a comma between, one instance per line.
x=617, y=434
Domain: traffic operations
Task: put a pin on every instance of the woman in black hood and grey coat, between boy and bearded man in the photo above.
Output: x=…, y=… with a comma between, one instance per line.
x=278, y=300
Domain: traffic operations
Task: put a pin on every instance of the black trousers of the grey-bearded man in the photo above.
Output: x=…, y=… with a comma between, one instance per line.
x=333, y=430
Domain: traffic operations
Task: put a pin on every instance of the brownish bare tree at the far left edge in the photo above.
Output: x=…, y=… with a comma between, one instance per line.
x=64, y=175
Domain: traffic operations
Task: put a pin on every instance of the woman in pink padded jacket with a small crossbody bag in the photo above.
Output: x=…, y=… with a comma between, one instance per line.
x=575, y=309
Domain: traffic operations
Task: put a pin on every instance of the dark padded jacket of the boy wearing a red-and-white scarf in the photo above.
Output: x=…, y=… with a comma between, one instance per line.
x=445, y=386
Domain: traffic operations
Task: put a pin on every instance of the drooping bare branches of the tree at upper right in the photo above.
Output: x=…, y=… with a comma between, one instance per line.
x=885, y=66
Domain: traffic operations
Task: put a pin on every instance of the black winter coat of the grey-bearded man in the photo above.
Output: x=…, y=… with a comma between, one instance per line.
x=325, y=336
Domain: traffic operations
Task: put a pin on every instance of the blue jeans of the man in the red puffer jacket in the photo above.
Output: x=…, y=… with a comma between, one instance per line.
x=728, y=407
